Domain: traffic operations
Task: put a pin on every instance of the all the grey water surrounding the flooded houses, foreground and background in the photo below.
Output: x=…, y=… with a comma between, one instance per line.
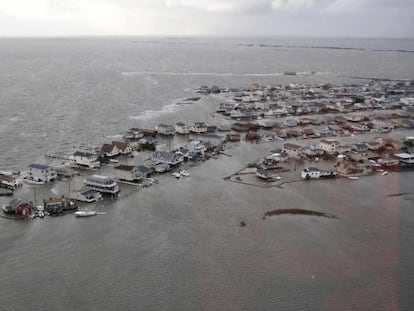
x=177, y=245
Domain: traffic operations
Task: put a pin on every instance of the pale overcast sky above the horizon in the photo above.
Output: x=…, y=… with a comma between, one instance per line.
x=351, y=18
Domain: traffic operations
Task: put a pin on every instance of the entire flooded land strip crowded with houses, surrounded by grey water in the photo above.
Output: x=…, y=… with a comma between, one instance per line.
x=313, y=132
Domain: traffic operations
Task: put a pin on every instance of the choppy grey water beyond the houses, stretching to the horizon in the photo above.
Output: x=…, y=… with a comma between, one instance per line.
x=71, y=91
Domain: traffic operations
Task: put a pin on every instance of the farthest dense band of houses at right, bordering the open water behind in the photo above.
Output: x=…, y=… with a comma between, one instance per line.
x=301, y=99
